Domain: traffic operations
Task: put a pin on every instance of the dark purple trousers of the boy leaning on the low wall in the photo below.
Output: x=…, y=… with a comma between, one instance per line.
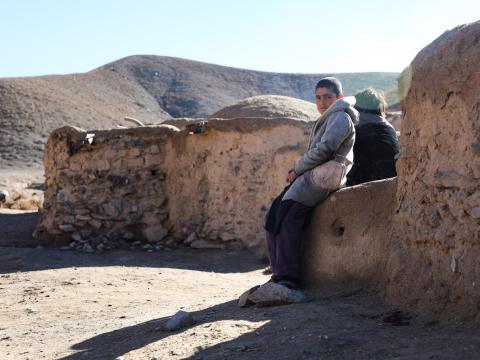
x=284, y=247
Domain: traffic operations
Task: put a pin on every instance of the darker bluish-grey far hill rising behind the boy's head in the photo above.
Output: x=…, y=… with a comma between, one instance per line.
x=186, y=88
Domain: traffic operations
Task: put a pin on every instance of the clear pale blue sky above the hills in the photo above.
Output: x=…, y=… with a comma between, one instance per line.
x=294, y=36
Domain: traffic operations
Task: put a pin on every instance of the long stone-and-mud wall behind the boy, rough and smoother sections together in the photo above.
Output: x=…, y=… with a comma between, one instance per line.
x=208, y=185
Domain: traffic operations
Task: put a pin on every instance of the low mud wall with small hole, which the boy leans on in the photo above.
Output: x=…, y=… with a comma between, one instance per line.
x=349, y=235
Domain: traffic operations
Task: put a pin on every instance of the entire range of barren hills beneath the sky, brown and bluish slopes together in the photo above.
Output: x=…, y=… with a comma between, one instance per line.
x=149, y=88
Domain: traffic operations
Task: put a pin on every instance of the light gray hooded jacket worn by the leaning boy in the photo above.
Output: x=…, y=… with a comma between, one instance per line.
x=333, y=134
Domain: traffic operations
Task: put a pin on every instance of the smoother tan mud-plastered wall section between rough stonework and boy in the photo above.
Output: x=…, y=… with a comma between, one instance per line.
x=229, y=175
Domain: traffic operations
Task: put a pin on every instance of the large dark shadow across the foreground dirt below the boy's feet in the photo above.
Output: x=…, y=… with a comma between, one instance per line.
x=335, y=327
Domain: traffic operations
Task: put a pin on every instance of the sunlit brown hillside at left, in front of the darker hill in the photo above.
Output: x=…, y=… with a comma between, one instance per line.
x=30, y=108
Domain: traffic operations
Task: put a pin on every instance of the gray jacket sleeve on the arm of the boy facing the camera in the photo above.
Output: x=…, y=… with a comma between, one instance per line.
x=338, y=127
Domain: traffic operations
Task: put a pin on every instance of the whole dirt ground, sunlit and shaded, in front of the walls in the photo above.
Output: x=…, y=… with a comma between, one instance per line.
x=60, y=304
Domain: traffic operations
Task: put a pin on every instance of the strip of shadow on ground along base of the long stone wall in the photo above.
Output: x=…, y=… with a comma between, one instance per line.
x=15, y=255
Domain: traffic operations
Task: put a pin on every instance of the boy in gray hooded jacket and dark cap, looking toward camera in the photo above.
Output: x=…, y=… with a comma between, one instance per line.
x=332, y=138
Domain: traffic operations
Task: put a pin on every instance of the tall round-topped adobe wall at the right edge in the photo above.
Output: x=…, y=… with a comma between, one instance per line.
x=435, y=259
